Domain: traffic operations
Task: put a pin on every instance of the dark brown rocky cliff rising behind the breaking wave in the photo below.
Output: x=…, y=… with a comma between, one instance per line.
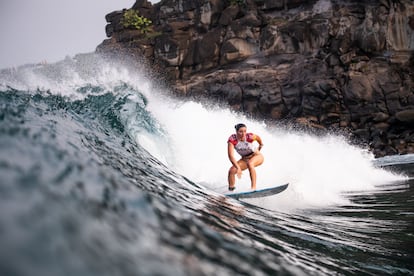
x=327, y=64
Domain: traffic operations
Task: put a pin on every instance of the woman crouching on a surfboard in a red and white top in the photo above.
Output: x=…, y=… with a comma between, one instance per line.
x=251, y=157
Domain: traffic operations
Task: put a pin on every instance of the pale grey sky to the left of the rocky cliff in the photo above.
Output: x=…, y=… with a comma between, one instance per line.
x=33, y=31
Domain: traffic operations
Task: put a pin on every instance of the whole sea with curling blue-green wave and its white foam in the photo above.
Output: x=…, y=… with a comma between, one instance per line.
x=102, y=173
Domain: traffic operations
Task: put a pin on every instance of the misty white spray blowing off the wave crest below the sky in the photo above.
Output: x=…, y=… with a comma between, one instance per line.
x=65, y=77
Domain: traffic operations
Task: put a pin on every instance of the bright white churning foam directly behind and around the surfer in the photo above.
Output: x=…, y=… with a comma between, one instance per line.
x=319, y=169
